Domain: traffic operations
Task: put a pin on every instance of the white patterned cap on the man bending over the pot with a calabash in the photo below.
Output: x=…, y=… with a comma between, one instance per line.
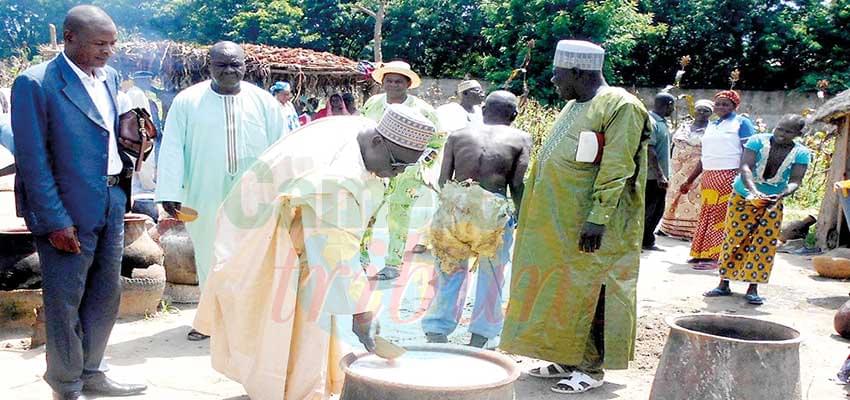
x=406, y=127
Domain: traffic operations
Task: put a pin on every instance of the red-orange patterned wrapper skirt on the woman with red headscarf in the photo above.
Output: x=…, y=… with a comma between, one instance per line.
x=716, y=188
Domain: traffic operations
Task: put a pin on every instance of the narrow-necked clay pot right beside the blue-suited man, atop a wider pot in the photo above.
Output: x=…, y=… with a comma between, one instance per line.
x=140, y=251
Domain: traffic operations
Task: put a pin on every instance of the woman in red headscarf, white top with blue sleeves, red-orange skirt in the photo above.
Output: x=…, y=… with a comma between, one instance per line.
x=720, y=160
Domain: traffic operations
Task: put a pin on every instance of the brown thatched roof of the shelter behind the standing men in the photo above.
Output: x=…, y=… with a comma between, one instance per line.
x=179, y=65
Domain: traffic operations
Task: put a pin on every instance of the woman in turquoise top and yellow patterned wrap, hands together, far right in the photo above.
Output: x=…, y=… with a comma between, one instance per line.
x=772, y=168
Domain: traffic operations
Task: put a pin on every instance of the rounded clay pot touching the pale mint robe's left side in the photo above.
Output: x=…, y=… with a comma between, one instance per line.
x=179, y=260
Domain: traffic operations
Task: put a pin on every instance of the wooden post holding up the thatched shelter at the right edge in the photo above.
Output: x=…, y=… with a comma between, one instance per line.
x=830, y=216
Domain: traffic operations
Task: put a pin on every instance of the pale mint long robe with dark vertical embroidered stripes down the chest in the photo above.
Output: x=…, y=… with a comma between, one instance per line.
x=209, y=140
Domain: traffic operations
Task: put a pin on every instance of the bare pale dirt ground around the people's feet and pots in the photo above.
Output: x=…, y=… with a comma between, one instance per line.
x=154, y=350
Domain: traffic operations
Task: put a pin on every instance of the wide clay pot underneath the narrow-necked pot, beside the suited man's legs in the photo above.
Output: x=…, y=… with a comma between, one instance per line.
x=141, y=294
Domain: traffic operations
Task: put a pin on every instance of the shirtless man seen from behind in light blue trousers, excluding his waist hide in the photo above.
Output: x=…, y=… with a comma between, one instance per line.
x=495, y=156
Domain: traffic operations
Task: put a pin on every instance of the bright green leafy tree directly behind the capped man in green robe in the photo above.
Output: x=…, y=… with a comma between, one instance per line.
x=513, y=26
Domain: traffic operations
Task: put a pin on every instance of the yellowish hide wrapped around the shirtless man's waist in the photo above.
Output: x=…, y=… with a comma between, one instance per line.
x=469, y=223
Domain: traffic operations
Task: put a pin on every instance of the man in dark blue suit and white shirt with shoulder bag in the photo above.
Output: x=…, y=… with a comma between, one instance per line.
x=72, y=188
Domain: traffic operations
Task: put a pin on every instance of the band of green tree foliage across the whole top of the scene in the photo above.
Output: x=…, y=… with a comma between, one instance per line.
x=776, y=44
